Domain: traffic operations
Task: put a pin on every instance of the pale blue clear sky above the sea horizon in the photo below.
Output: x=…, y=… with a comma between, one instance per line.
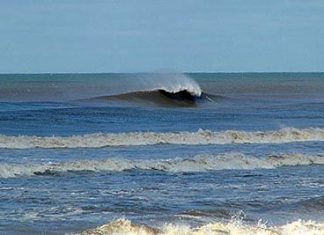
x=154, y=35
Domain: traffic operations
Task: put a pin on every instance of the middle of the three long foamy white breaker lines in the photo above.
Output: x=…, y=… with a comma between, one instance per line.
x=199, y=163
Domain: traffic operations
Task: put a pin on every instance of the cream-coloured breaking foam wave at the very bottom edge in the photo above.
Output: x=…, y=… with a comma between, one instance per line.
x=126, y=227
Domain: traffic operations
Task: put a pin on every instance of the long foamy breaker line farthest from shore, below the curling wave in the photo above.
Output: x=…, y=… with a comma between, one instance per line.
x=201, y=137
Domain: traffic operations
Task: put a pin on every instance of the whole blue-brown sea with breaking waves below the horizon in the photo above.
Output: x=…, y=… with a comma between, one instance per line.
x=162, y=153
